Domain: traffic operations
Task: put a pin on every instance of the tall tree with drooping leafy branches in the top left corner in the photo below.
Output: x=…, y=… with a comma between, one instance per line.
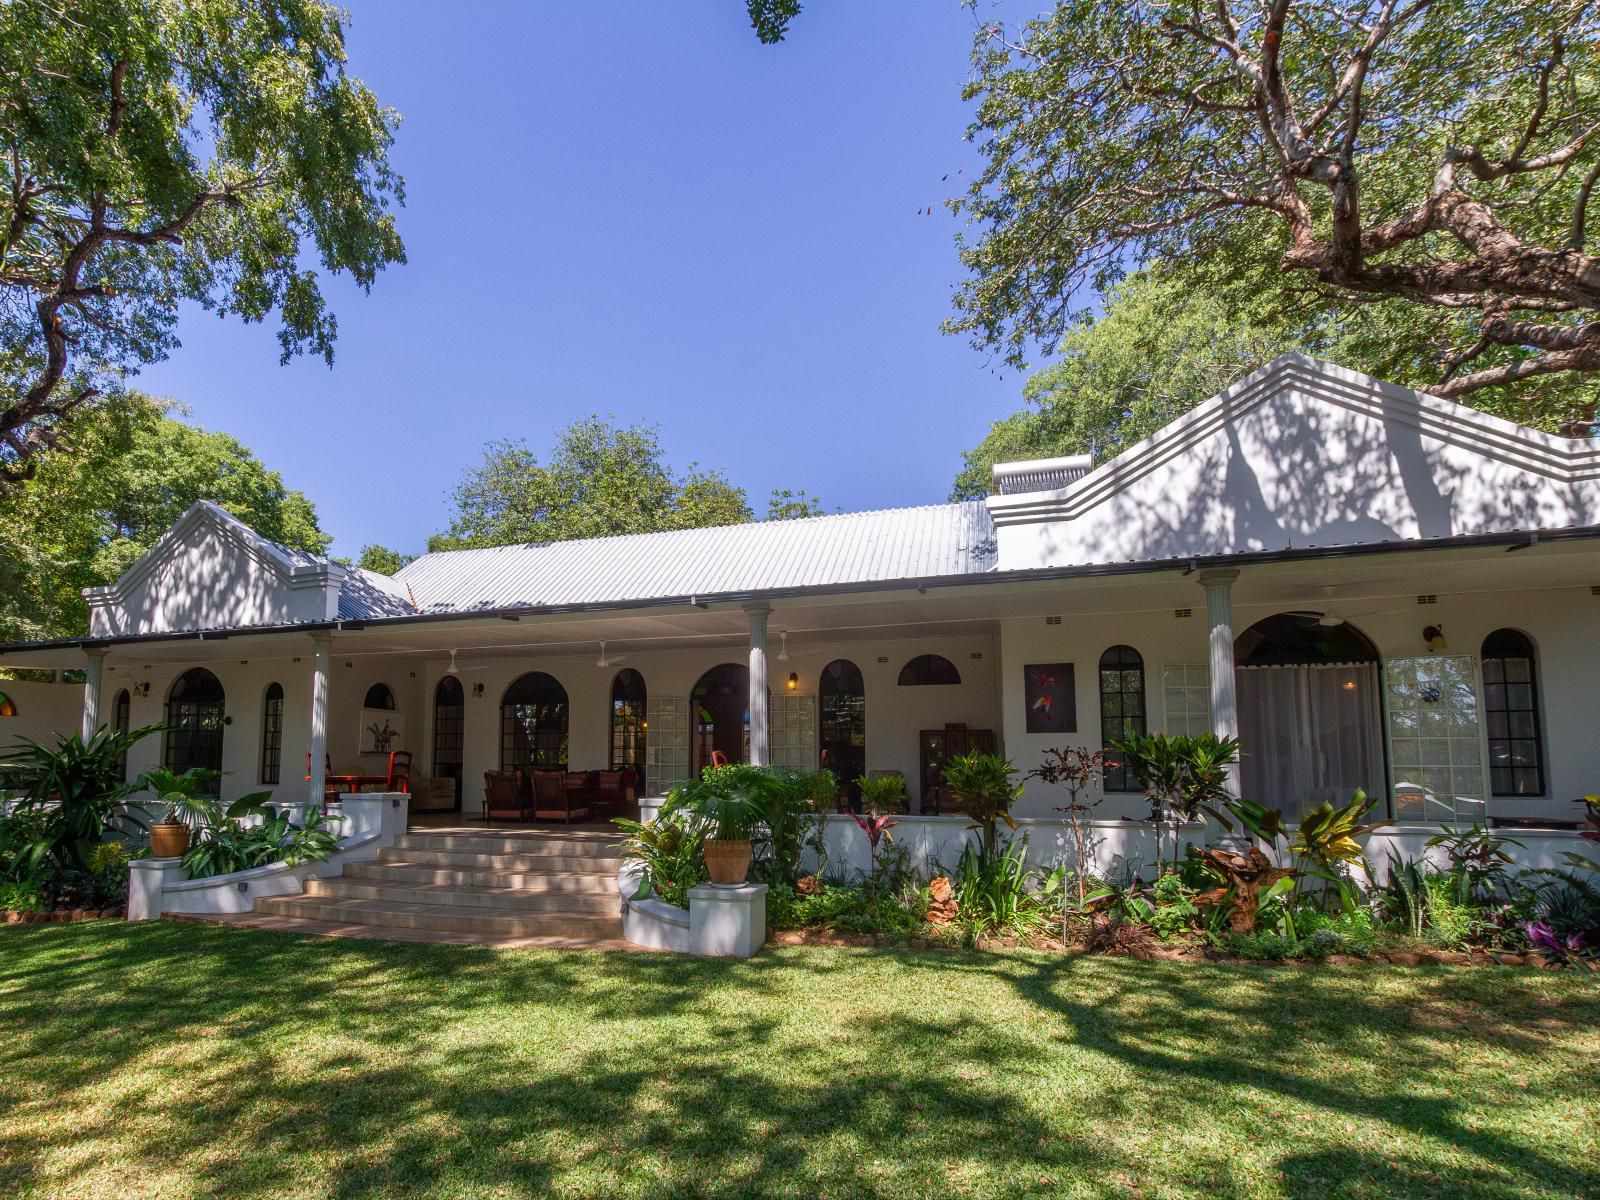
x=212, y=151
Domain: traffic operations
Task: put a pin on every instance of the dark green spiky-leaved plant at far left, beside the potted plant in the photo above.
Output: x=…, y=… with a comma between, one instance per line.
x=74, y=798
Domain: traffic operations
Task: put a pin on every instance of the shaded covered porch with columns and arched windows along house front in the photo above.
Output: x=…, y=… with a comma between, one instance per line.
x=1454, y=682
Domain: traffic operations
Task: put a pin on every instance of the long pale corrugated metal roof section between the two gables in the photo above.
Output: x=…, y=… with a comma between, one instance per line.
x=938, y=540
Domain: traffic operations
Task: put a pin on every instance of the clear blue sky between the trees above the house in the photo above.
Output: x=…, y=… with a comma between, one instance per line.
x=638, y=209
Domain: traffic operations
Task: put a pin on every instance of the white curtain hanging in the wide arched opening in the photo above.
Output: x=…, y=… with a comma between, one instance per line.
x=1310, y=734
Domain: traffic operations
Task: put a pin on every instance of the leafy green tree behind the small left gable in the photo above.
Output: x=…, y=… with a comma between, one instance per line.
x=92, y=513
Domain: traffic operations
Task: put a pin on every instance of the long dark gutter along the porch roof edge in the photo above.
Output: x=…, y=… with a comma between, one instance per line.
x=1186, y=566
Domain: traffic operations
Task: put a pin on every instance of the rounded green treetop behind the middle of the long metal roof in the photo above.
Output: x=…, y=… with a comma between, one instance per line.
x=601, y=481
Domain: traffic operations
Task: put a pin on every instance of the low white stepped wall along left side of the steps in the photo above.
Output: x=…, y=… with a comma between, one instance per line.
x=158, y=886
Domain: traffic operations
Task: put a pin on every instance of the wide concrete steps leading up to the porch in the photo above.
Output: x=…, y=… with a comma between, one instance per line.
x=486, y=889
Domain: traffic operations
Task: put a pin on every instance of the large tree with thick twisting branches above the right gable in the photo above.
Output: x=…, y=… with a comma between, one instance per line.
x=1433, y=158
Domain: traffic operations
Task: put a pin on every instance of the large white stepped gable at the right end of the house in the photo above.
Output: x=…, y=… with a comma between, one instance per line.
x=1305, y=454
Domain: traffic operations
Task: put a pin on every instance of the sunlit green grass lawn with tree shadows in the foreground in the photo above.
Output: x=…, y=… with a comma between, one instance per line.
x=190, y=1062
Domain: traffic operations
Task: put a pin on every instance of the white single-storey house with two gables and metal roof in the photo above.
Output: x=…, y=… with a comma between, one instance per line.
x=1370, y=586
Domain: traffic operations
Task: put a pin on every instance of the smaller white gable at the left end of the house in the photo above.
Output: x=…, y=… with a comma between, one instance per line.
x=214, y=572
